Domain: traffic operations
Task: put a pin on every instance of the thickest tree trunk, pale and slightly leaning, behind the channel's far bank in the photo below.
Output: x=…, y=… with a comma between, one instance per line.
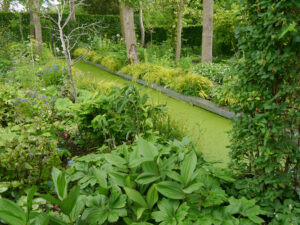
x=127, y=13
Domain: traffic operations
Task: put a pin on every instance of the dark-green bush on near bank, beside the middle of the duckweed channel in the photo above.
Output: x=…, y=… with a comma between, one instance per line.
x=114, y=118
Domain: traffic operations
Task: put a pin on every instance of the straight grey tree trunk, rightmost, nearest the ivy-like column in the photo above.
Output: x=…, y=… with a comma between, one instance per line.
x=207, y=33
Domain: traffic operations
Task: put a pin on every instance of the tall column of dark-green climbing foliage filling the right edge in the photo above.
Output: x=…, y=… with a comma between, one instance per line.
x=265, y=137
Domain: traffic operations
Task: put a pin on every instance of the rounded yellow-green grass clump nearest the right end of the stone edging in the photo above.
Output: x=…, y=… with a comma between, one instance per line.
x=193, y=85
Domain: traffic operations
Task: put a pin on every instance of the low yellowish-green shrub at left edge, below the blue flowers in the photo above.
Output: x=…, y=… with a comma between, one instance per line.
x=27, y=154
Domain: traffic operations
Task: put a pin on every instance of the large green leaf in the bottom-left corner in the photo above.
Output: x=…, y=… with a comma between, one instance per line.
x=11, y=213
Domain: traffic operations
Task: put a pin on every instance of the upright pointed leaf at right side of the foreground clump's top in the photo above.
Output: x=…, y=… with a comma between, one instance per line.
x=188, y=166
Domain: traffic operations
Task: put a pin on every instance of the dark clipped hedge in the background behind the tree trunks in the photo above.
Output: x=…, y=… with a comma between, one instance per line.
x=192, y=35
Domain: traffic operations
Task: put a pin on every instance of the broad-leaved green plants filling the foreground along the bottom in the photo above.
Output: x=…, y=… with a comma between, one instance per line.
x=142, y=184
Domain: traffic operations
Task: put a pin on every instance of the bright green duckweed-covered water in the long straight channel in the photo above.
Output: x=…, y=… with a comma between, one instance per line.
x=209, y=129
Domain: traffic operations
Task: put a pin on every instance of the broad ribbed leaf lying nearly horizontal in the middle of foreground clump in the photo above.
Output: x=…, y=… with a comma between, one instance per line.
x=170, y=190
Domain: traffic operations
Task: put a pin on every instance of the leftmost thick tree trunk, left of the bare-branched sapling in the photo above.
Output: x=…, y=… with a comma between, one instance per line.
x=37, y=26
